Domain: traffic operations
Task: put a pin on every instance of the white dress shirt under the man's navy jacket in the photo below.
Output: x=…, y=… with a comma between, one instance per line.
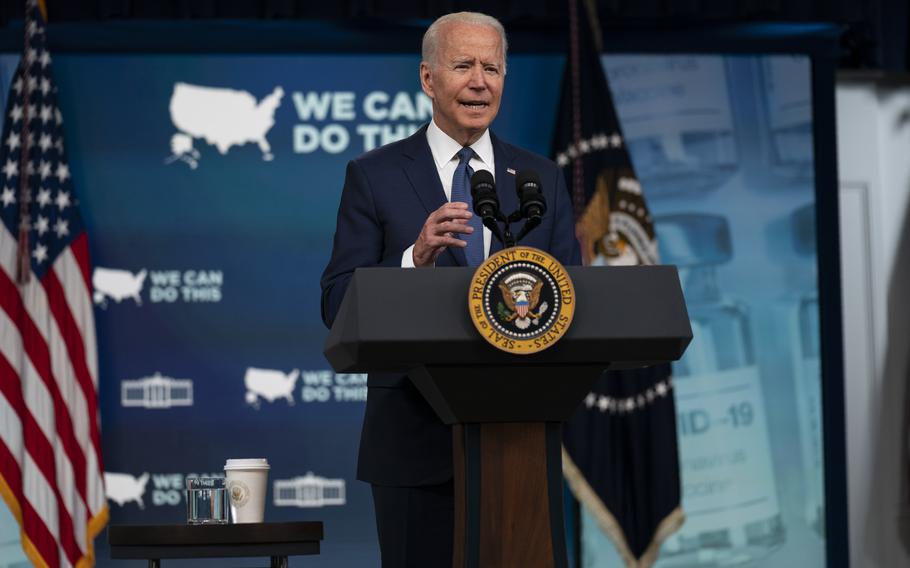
x=445, y=156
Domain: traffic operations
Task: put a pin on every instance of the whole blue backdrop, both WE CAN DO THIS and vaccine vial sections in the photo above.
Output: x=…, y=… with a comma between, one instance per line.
x=210, y=184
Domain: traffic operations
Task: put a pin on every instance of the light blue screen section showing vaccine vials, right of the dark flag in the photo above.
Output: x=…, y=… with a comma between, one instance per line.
x=723, y=146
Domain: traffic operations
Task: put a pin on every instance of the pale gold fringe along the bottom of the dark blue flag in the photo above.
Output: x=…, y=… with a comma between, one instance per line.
x=588, y=497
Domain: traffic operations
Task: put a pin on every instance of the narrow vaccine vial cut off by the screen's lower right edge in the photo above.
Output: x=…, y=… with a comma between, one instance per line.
x=803, y=326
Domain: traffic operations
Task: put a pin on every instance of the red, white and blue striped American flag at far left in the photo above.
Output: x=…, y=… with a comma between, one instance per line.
x=50, y=440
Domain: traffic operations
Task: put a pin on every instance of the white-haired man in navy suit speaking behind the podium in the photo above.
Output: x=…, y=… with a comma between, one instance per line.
x=405, y=204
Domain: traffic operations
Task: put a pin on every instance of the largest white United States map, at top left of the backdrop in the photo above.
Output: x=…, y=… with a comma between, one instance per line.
x=222, y=117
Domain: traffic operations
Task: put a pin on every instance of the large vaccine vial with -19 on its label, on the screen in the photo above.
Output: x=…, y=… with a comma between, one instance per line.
x=728, y=484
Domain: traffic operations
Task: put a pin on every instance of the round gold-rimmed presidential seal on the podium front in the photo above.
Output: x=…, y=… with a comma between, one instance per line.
x=521, y=300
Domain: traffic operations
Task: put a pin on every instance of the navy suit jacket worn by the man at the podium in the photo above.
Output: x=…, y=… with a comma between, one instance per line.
x=388, y=194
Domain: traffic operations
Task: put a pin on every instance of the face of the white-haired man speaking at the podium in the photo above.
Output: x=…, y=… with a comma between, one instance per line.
x=466, y=80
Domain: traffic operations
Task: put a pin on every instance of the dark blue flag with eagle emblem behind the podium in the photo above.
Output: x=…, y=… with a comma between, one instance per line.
x=620, y=454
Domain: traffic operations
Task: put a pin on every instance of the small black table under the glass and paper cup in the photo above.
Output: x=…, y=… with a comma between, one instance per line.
x=154, y=542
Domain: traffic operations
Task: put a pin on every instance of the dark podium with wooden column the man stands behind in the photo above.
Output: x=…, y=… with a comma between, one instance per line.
x=506, y=410
